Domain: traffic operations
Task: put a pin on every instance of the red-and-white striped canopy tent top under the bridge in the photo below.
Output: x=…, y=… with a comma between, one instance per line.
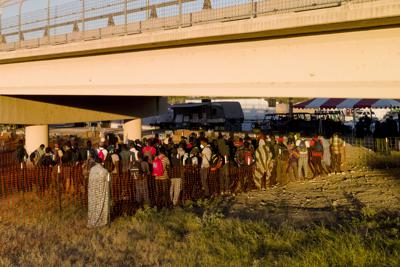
x=350, y=103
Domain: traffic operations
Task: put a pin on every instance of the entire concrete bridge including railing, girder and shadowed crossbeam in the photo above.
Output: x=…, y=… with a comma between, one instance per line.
x=306, y=48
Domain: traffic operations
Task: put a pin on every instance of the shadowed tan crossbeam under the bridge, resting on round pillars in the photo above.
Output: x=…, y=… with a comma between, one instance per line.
x=32, y=110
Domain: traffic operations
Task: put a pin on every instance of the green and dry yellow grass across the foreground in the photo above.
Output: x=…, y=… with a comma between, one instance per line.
x=199, y=234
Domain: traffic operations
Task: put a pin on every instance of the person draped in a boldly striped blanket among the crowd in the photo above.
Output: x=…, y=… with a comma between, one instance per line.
x=263, y=164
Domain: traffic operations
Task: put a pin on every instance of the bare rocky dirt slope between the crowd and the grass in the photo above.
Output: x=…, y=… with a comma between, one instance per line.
x=320, y=200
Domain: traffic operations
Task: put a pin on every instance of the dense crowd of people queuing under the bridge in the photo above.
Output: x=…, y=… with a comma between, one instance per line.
x=273, y=160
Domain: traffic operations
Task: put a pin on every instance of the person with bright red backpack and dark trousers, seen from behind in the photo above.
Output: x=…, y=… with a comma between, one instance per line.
x=161, y=166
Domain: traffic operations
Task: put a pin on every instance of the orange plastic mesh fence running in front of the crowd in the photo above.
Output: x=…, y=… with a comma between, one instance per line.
x=66, y=186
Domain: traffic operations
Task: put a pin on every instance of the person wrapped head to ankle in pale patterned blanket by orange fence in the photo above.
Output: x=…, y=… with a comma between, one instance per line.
x=99, y=196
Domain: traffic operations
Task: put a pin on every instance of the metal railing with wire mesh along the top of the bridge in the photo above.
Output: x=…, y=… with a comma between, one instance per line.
x=92, y=19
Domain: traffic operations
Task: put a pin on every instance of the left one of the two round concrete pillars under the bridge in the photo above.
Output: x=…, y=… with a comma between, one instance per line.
x=35, y=136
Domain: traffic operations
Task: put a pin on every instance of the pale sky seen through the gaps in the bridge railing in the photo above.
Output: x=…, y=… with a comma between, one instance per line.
x=34, y=13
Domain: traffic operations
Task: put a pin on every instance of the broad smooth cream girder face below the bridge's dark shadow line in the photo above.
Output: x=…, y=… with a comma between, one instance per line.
x=362, y=63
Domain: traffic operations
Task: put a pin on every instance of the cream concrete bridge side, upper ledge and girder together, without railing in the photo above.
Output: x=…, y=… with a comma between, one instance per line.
x=348, y=51
